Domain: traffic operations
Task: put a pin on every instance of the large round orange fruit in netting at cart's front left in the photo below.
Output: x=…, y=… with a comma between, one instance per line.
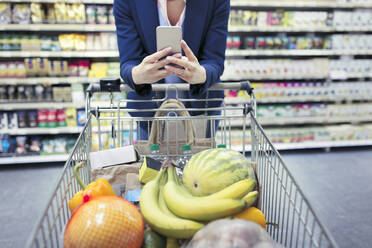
x=105, y=222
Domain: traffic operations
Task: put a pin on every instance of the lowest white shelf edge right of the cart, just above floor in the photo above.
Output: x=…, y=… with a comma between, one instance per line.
x=312, y=145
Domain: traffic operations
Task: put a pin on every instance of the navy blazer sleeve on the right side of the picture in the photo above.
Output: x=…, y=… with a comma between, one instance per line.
x=212, y=54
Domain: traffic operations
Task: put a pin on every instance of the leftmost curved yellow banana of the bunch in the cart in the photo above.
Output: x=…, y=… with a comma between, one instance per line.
x=163, y=223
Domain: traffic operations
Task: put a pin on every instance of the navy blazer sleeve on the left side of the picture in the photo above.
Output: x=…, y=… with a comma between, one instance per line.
x=129, y=44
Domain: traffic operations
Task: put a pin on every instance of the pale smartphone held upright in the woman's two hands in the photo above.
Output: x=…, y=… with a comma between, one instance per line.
x=169, y=36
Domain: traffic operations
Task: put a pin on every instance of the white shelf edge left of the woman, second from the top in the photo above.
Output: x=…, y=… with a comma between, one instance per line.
x=60, y=54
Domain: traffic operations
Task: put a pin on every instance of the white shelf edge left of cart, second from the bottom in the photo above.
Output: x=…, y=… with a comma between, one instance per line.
x=35, y=131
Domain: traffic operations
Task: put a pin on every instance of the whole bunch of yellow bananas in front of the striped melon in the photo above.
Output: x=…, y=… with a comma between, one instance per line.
x=170, y=209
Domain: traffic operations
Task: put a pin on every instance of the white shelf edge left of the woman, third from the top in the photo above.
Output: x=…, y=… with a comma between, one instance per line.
x=50, y=80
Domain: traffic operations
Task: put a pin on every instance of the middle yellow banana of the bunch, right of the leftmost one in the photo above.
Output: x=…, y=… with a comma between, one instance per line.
x=197, y=208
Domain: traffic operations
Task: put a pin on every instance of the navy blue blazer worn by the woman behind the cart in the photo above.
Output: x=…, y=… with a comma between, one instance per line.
x=204, y=30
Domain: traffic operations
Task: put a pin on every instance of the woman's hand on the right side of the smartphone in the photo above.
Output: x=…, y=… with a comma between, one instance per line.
x=192, y=72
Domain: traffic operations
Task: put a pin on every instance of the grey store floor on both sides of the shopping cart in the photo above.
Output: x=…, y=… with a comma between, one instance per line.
x=337, y=183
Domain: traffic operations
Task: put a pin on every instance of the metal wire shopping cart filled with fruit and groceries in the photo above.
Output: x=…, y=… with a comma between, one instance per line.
x=293, y=221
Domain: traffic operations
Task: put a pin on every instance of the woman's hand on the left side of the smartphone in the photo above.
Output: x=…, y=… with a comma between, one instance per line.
x=151, y=68
